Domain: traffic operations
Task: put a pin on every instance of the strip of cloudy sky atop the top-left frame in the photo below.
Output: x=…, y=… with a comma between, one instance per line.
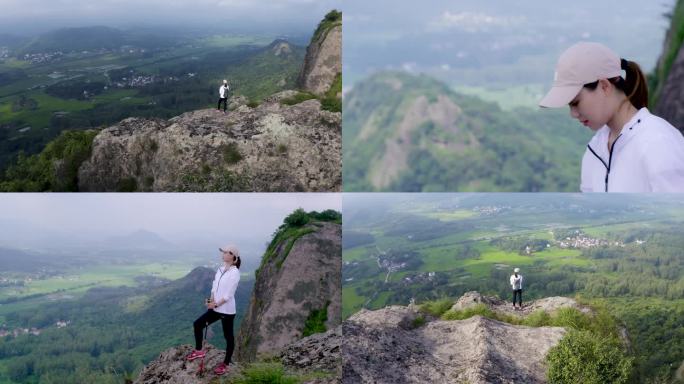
x=23, y=16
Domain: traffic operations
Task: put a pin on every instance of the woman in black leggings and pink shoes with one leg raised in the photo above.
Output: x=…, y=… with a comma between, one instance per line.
x=221, y=306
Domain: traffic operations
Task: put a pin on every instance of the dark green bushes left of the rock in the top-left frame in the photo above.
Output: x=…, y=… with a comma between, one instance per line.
x=54, y=169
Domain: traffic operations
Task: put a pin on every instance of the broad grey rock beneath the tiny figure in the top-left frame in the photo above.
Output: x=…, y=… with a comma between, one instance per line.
x=273, y=147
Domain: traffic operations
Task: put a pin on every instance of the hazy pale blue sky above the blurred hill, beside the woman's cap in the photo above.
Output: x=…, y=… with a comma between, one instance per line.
x=442, y=36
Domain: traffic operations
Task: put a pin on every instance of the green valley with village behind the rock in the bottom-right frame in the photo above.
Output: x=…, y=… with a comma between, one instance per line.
x=624, y=253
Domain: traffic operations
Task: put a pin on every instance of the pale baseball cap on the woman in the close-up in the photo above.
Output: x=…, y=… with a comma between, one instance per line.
x=583, y=63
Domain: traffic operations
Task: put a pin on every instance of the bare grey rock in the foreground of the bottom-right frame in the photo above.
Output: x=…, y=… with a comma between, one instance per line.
x=399, y=344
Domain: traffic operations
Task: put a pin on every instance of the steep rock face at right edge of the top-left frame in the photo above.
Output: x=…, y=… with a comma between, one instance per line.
x=323, y=61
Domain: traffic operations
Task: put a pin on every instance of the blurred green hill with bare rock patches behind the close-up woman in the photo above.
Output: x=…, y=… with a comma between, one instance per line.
x=412, y=133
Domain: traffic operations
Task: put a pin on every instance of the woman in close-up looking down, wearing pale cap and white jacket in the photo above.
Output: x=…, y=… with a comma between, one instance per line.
x=632, y=150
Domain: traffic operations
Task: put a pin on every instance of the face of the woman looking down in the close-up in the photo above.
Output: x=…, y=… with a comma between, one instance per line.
x=594, y=108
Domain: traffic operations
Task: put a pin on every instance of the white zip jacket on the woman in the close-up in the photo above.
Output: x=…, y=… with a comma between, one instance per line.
x=647, y=156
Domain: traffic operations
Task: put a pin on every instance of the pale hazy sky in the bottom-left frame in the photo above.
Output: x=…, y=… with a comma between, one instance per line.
x=224, y=216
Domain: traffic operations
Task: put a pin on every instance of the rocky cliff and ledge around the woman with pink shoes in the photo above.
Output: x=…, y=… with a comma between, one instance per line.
x=293, y=317
